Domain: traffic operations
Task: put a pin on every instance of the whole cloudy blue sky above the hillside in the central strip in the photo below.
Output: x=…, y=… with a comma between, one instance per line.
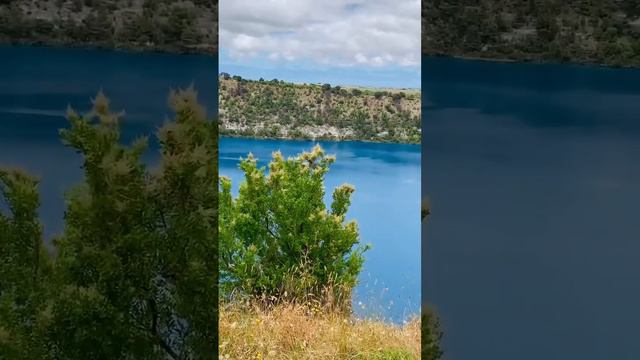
x=341, y=42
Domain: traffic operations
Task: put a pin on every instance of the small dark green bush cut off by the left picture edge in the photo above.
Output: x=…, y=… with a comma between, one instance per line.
x=24, y=266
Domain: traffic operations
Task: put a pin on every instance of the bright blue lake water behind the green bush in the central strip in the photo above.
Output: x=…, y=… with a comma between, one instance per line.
x=386, y=205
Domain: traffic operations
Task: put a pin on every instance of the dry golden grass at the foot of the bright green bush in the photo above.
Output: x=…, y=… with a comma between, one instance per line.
x=294, y=332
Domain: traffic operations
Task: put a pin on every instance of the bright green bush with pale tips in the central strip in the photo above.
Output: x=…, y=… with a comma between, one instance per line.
x=278, y=241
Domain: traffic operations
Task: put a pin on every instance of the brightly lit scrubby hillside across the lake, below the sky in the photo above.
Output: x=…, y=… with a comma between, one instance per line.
x=276, y=109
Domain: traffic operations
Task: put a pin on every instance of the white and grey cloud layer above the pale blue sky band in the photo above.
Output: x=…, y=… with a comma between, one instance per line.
x=336, y=32
